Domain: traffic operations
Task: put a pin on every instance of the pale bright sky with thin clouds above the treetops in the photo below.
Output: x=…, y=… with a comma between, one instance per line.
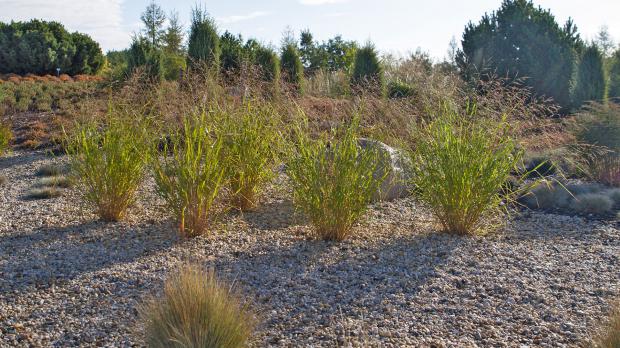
x=394, y=26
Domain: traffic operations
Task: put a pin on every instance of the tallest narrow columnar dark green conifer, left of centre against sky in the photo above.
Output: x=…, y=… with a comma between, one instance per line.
x=204, y=41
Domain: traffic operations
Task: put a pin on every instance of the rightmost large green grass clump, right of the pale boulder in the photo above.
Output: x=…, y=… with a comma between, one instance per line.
x=460, y=166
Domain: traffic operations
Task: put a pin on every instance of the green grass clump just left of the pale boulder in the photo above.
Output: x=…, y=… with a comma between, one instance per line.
x=334, y=181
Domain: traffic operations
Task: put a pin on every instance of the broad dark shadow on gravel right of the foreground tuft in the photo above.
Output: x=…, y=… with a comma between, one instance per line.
x=317, y=283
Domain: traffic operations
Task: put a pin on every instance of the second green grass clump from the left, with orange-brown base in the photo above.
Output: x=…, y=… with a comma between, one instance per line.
x=191, y=178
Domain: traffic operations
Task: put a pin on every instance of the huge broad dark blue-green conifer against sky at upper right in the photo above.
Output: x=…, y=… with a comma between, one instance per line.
x=521, y=40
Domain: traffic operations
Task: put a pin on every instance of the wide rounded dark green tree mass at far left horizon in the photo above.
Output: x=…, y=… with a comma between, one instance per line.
x=40, y=47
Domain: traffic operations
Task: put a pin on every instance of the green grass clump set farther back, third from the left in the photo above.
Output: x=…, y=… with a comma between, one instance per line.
x=250, y=147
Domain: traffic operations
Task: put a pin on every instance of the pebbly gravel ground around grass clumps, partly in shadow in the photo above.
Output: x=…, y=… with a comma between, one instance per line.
x=68, y=280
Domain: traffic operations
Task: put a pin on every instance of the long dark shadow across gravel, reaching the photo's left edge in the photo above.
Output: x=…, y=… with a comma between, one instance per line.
x=54, y=255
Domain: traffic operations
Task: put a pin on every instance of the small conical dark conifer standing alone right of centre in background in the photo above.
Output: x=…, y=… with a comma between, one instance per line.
x=367, y=71
